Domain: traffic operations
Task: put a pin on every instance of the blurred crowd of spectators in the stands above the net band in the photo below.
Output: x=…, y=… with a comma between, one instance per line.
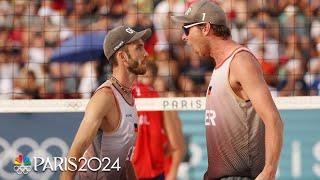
x=284, y=35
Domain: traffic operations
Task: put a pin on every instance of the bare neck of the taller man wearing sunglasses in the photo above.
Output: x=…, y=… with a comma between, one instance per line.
x=221, y=49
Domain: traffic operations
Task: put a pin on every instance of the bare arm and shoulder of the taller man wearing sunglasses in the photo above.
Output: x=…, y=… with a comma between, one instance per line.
x=247, y=72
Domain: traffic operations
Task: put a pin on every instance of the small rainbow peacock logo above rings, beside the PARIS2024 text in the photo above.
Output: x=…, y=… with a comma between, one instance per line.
x=22, y=164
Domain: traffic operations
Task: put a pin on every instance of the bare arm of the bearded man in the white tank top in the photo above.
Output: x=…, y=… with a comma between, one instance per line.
x=97, y=108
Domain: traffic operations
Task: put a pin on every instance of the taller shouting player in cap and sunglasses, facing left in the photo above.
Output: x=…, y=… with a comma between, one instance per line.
x=244, y=132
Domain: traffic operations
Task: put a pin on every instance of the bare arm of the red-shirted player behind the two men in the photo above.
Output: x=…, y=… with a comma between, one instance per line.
x=173, y=130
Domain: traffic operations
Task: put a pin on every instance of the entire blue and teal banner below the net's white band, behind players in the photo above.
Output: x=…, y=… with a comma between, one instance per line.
x=51, y=134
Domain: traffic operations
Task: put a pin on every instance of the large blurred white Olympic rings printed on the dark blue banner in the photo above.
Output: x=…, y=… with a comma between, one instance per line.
x=10, y=151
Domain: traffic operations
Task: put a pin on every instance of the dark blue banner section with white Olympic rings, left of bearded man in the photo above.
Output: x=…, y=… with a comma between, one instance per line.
x=35, y=134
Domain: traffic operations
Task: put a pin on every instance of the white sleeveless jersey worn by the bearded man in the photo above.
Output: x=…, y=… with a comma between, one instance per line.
x=116, y=146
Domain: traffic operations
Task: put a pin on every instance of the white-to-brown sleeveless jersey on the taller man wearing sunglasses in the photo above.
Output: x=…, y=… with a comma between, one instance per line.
x=234, y=131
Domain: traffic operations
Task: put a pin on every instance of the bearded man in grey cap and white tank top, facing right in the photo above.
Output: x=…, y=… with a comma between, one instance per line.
x=108, y=129
